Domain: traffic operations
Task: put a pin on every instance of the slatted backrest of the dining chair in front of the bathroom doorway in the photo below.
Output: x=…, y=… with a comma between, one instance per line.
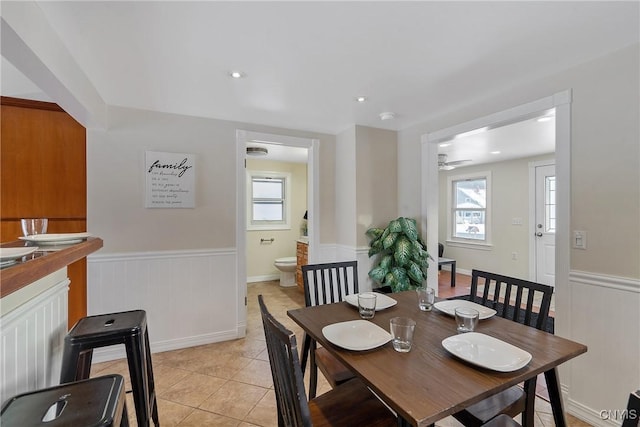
x=329, y=282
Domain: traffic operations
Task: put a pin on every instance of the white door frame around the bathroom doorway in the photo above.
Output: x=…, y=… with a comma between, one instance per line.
x=313, y=205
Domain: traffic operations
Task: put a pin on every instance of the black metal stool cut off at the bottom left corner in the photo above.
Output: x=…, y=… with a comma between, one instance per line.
x=90, y=403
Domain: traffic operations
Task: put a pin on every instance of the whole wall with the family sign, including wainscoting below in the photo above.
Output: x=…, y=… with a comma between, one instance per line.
x=173, y=263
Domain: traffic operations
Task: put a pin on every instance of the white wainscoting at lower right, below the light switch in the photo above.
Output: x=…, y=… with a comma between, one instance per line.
x=605, y=316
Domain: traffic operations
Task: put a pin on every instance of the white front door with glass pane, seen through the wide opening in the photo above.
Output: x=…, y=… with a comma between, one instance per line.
x=545, y=224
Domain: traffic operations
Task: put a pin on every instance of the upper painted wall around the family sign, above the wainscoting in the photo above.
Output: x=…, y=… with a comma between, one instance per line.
x=115, y=190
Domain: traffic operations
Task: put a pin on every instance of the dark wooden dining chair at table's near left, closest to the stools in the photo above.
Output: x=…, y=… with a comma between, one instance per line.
x=349, y=404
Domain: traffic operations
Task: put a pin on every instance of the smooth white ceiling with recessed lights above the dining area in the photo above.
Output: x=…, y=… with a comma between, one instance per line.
x=305, y=62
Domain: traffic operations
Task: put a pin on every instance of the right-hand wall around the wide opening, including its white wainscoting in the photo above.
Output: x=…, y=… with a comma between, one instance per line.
x=605, y=201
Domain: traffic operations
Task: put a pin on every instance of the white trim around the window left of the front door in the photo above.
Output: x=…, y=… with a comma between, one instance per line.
x=469, y=243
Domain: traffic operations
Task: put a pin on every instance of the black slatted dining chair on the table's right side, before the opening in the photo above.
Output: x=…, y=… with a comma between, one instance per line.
x=524, y=302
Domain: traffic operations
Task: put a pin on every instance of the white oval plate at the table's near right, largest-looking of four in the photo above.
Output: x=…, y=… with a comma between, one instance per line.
x=487, y=352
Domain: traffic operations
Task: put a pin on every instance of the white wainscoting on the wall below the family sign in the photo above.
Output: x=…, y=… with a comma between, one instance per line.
x=191, y=297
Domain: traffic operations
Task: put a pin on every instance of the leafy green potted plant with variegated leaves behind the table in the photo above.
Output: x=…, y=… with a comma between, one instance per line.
x=401, y=256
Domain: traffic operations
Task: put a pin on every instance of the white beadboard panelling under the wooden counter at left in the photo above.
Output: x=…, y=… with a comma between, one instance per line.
x=32, y=340
